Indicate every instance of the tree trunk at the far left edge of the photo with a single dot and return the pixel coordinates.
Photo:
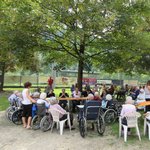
(2, 72)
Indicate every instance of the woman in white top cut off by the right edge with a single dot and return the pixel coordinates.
(147, 95)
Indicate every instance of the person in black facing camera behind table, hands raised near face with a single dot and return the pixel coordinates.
(63, 103)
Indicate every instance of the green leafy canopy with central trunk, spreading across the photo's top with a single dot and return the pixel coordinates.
(113, 35)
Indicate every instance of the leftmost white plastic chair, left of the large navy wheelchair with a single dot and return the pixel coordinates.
(55, 114)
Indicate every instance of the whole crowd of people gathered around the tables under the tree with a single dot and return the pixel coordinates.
(130, 94)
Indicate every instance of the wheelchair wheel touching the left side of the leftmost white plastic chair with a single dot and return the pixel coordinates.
(46, 123)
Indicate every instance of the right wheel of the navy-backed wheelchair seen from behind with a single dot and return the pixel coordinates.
(100, 125)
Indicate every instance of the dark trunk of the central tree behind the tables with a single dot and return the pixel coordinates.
(80, 74)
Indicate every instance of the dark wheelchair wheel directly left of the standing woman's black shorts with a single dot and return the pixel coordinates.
(17, 117)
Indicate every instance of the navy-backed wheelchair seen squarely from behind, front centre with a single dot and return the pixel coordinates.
(90, 113)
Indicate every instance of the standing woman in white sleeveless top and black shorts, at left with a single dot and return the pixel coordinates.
(27, 106)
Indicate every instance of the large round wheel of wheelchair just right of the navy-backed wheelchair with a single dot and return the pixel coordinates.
(110, 116)
